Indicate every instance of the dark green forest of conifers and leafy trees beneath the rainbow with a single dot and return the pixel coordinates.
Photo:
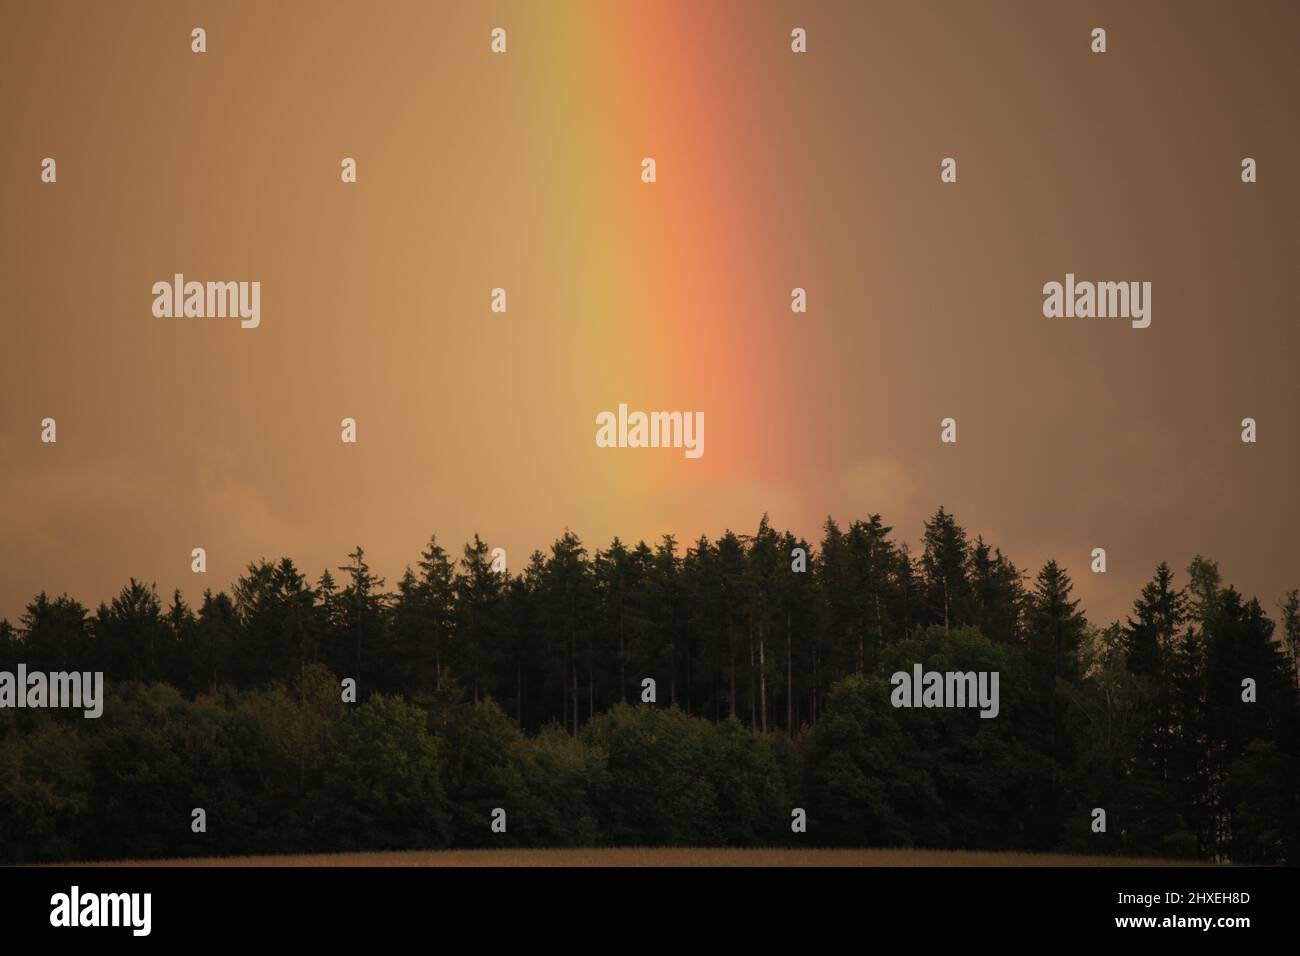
(772, 661)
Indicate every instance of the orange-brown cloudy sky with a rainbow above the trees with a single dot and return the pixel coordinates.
(523, 171)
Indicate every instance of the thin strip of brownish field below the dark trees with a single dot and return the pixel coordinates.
(664, 856)
